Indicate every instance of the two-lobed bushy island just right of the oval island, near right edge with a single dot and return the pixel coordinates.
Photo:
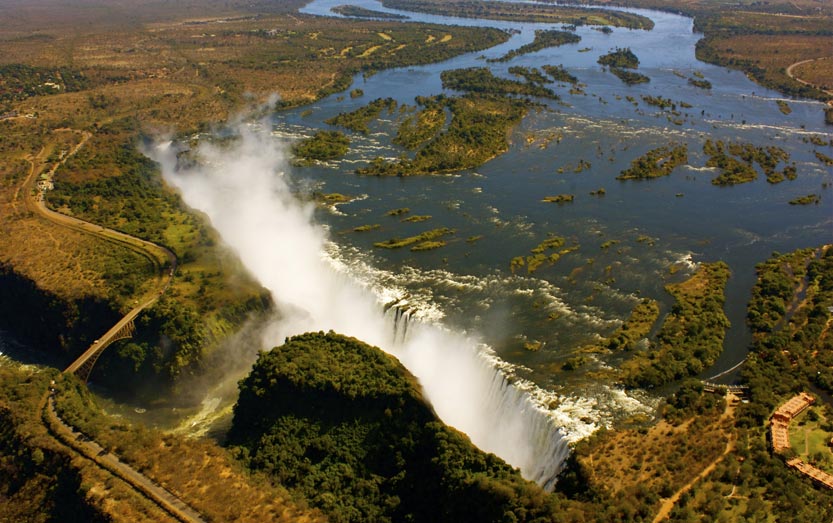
(736, 162)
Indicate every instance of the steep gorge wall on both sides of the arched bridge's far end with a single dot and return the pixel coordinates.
(172, 338)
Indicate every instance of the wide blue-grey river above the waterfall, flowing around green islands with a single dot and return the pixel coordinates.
(631, 242)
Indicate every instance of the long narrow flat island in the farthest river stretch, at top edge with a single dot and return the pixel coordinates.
(523, 12)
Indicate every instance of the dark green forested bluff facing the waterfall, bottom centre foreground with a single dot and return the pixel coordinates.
(346, 426)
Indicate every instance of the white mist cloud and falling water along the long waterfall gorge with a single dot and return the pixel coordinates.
(243, 190)
